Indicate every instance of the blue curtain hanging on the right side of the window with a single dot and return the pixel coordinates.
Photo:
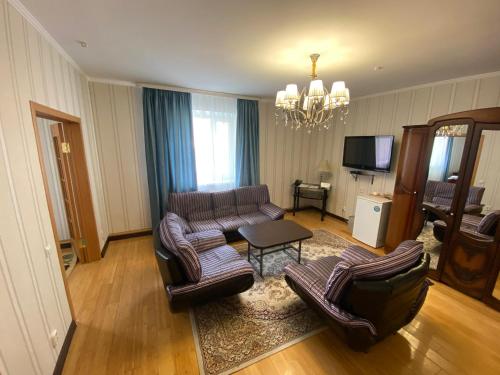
(247, 143)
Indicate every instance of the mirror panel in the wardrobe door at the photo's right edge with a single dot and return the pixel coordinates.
(481, 213)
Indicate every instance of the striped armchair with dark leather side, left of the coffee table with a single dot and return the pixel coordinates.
(197, 266)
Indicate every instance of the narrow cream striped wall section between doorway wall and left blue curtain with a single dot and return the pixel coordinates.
(117, 112)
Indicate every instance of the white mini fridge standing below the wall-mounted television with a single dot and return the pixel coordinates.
(370, 219)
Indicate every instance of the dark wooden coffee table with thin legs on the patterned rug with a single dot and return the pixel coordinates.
(267, 236)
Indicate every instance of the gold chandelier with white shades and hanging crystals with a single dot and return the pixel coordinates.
(314, 109)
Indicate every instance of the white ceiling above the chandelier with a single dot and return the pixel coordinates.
(255, 47)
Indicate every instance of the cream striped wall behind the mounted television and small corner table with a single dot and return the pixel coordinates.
(286, 155)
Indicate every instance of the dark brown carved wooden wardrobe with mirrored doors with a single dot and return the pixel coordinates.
(447, 195)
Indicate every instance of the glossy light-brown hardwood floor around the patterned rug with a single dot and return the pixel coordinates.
(125, 327)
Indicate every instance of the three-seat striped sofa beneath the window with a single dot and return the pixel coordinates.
(225, 211)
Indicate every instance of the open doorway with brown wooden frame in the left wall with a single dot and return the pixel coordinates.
(67, 188)
